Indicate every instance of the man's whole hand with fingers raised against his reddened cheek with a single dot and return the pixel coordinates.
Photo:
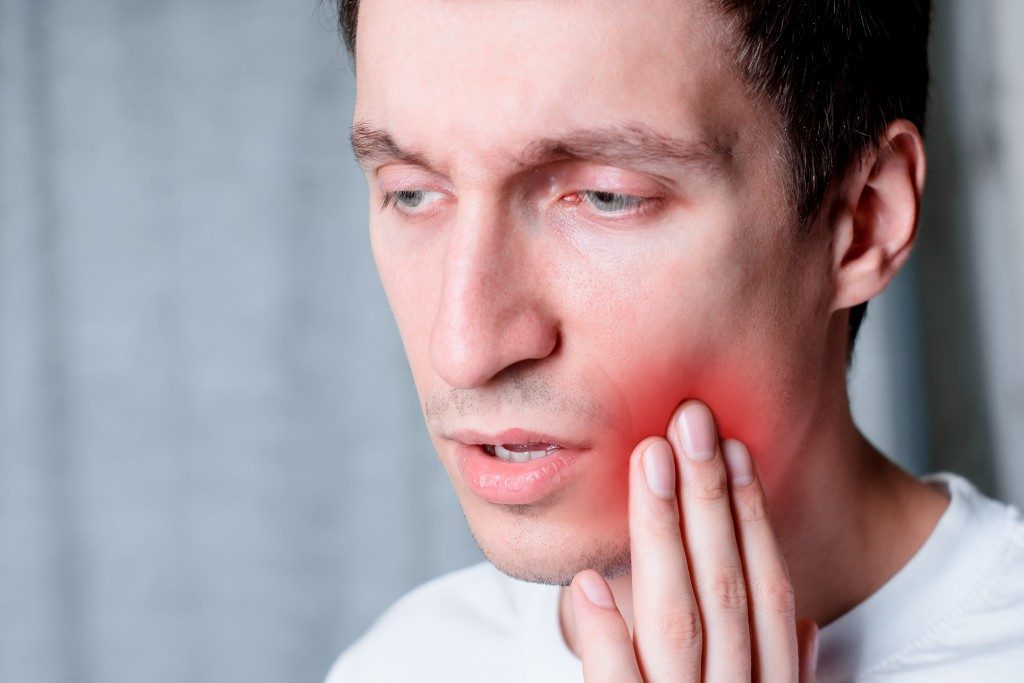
(712, 597)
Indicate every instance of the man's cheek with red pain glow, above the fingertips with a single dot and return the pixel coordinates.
(710, 330)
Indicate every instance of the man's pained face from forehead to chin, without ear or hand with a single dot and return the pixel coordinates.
(590, 227)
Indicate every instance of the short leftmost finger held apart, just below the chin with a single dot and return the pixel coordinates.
(603, 637)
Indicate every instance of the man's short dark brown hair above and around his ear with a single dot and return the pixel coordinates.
(837, 72)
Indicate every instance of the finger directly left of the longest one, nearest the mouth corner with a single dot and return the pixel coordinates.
(667, 633)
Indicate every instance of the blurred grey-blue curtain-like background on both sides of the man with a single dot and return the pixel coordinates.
(214, 465)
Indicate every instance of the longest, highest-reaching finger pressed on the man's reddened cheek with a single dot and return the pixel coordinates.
(711, 546)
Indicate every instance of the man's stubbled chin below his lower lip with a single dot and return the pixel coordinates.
(526, 549)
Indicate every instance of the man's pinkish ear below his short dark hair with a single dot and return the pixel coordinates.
(875, 223)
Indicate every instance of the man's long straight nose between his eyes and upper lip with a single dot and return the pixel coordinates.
(495, 308)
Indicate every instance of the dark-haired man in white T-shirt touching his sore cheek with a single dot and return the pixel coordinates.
(628, 247)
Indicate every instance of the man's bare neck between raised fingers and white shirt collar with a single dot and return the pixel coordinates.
(846, 518)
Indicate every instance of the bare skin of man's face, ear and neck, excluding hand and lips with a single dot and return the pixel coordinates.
(521, 305)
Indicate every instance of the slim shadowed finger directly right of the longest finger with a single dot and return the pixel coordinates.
(772, 600)
